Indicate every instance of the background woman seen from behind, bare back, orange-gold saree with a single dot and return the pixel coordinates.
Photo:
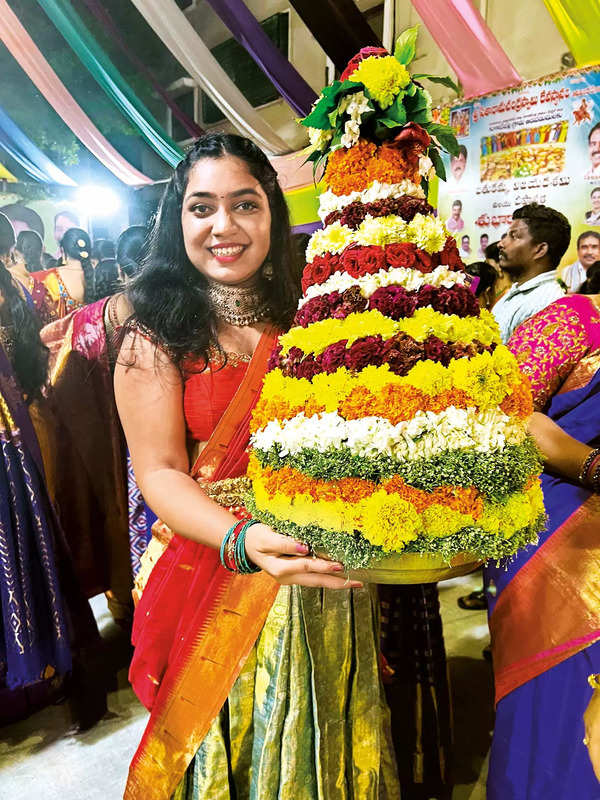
(70, 284)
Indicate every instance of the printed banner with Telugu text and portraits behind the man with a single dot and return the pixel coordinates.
(539, 142)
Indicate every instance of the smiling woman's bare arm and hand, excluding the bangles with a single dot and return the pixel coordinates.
(149, 395)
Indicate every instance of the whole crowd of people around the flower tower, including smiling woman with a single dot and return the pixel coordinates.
(284, 696)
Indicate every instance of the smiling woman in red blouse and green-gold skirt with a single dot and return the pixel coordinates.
(227, 660)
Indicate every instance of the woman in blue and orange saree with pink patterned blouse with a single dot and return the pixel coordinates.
(544, 606)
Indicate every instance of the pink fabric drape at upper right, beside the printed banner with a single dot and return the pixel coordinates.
(468, 44)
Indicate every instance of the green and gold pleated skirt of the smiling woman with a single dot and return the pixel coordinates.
(306, 718)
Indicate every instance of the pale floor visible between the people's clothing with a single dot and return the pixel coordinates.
(39, 758)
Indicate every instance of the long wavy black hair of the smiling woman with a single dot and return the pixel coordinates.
(169, 296)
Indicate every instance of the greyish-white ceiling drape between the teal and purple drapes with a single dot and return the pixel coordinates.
(172, 26)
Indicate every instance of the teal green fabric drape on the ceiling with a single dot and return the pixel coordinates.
(101, 68)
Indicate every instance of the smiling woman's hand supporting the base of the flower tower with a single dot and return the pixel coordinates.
(287, 560)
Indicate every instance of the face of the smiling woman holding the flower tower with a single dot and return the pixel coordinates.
(226, 220)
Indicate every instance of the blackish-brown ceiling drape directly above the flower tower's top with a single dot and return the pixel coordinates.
(338, 26)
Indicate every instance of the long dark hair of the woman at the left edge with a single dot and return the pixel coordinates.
(20, 324)
